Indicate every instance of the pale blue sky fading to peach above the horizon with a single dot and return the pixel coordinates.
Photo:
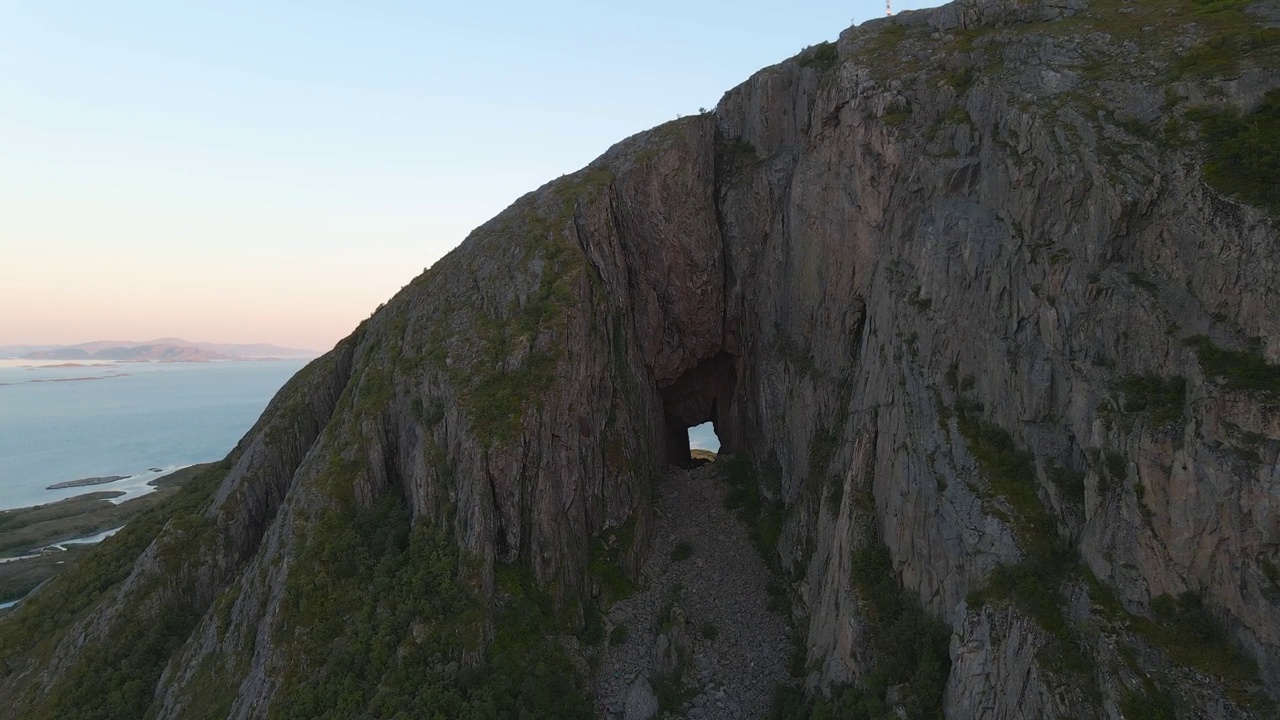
(272, 172)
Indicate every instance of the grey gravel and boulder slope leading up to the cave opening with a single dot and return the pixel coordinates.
(720, 590)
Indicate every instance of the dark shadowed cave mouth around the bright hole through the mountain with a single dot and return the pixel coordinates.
(697, 398)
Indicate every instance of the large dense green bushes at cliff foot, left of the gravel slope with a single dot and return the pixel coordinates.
(378, 618)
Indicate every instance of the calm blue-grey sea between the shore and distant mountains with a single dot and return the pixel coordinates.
(129, 420)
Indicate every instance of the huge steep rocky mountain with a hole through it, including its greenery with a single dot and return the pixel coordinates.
(985, 306)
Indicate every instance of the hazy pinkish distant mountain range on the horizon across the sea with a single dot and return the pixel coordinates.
(164, 350)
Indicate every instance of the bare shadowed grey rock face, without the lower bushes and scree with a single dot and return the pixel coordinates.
(925, 298)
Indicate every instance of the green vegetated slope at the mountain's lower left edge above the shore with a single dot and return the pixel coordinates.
(130, 659)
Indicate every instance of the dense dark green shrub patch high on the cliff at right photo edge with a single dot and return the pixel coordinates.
(1244, 152)
